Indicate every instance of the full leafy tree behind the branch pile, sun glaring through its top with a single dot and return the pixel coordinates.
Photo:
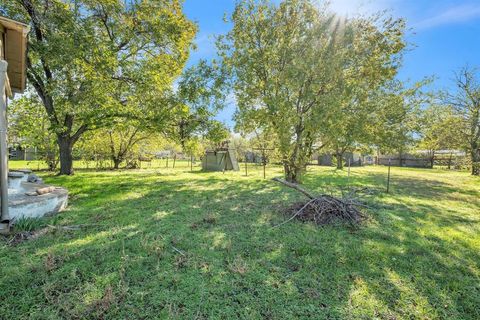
(291, 62)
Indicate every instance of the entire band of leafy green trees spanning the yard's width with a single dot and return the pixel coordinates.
(113, 74)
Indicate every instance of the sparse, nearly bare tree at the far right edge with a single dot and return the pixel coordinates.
(466, 103)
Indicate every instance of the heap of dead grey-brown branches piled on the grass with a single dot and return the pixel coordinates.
(326, 209)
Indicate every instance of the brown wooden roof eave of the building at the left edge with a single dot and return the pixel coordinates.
(15, 52)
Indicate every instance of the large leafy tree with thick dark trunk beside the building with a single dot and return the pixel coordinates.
(83, 53)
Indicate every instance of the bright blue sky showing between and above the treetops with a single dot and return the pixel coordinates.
(445, 34)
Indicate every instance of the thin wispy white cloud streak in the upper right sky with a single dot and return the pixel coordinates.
(457, 14)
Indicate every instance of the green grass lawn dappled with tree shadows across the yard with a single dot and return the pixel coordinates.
(168, 243)
